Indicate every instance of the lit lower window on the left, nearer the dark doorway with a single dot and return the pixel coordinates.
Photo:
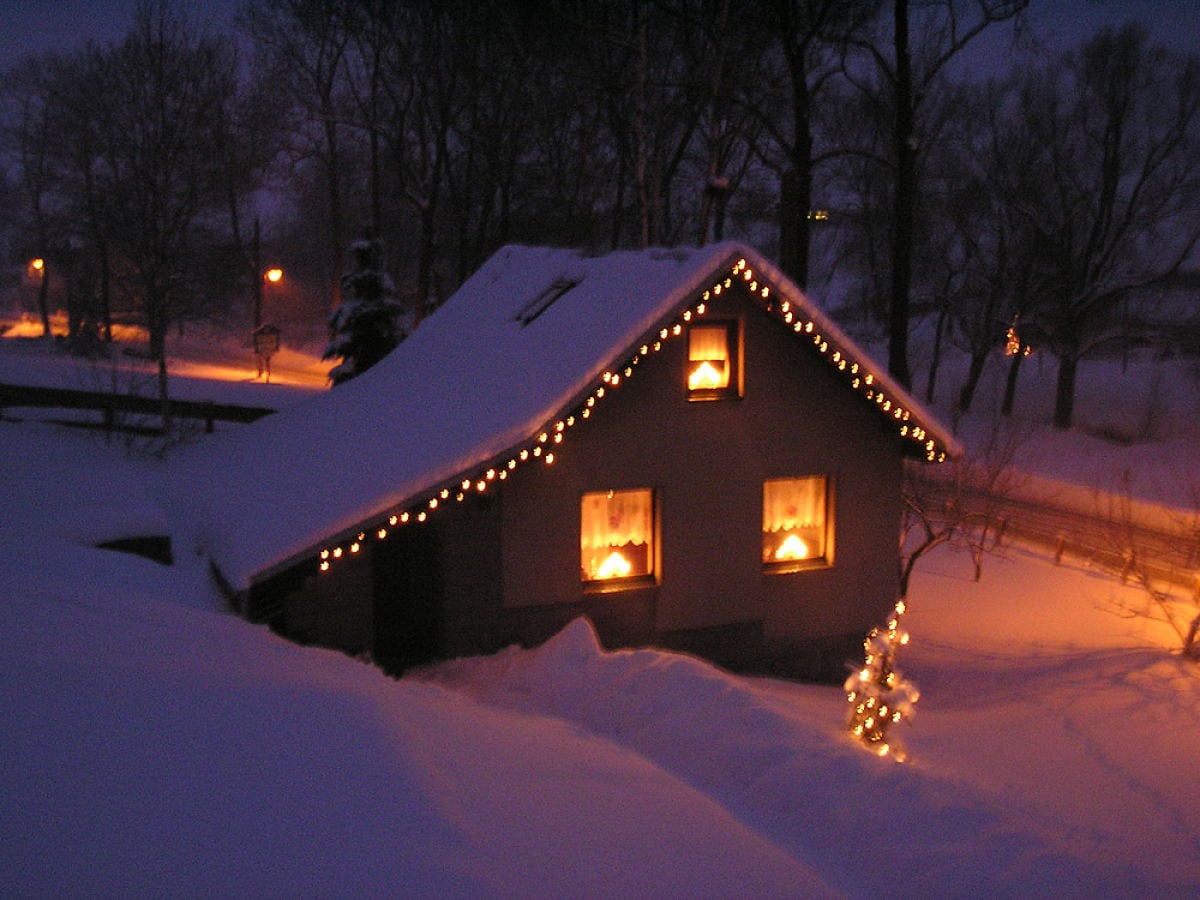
(617, 536)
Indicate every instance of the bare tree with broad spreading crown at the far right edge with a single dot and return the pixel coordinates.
(1112, 193)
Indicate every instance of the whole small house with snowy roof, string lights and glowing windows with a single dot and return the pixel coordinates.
(675, 443)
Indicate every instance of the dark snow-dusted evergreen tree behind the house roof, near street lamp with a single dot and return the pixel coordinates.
(367, 326)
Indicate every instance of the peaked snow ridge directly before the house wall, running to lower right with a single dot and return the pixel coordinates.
(781, 761)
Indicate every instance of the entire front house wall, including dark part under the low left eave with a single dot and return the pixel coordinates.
(508, 563)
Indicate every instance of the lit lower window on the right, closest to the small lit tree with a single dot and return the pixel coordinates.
(796, 523)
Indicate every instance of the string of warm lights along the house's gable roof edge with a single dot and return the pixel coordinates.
(545, 446)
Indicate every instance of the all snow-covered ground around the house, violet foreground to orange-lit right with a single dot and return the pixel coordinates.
(155, 745)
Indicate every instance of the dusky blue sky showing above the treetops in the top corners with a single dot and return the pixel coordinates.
(41, 26)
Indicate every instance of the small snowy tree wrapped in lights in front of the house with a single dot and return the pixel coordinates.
(878, 694)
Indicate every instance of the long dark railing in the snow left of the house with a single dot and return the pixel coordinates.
(112, 405)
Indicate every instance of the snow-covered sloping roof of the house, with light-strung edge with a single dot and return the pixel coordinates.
(517, 356)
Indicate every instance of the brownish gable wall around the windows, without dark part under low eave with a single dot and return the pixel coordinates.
(707, 463)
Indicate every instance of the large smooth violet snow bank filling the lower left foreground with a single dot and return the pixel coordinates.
(158, 751)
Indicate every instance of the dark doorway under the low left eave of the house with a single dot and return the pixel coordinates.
(407, 599)
